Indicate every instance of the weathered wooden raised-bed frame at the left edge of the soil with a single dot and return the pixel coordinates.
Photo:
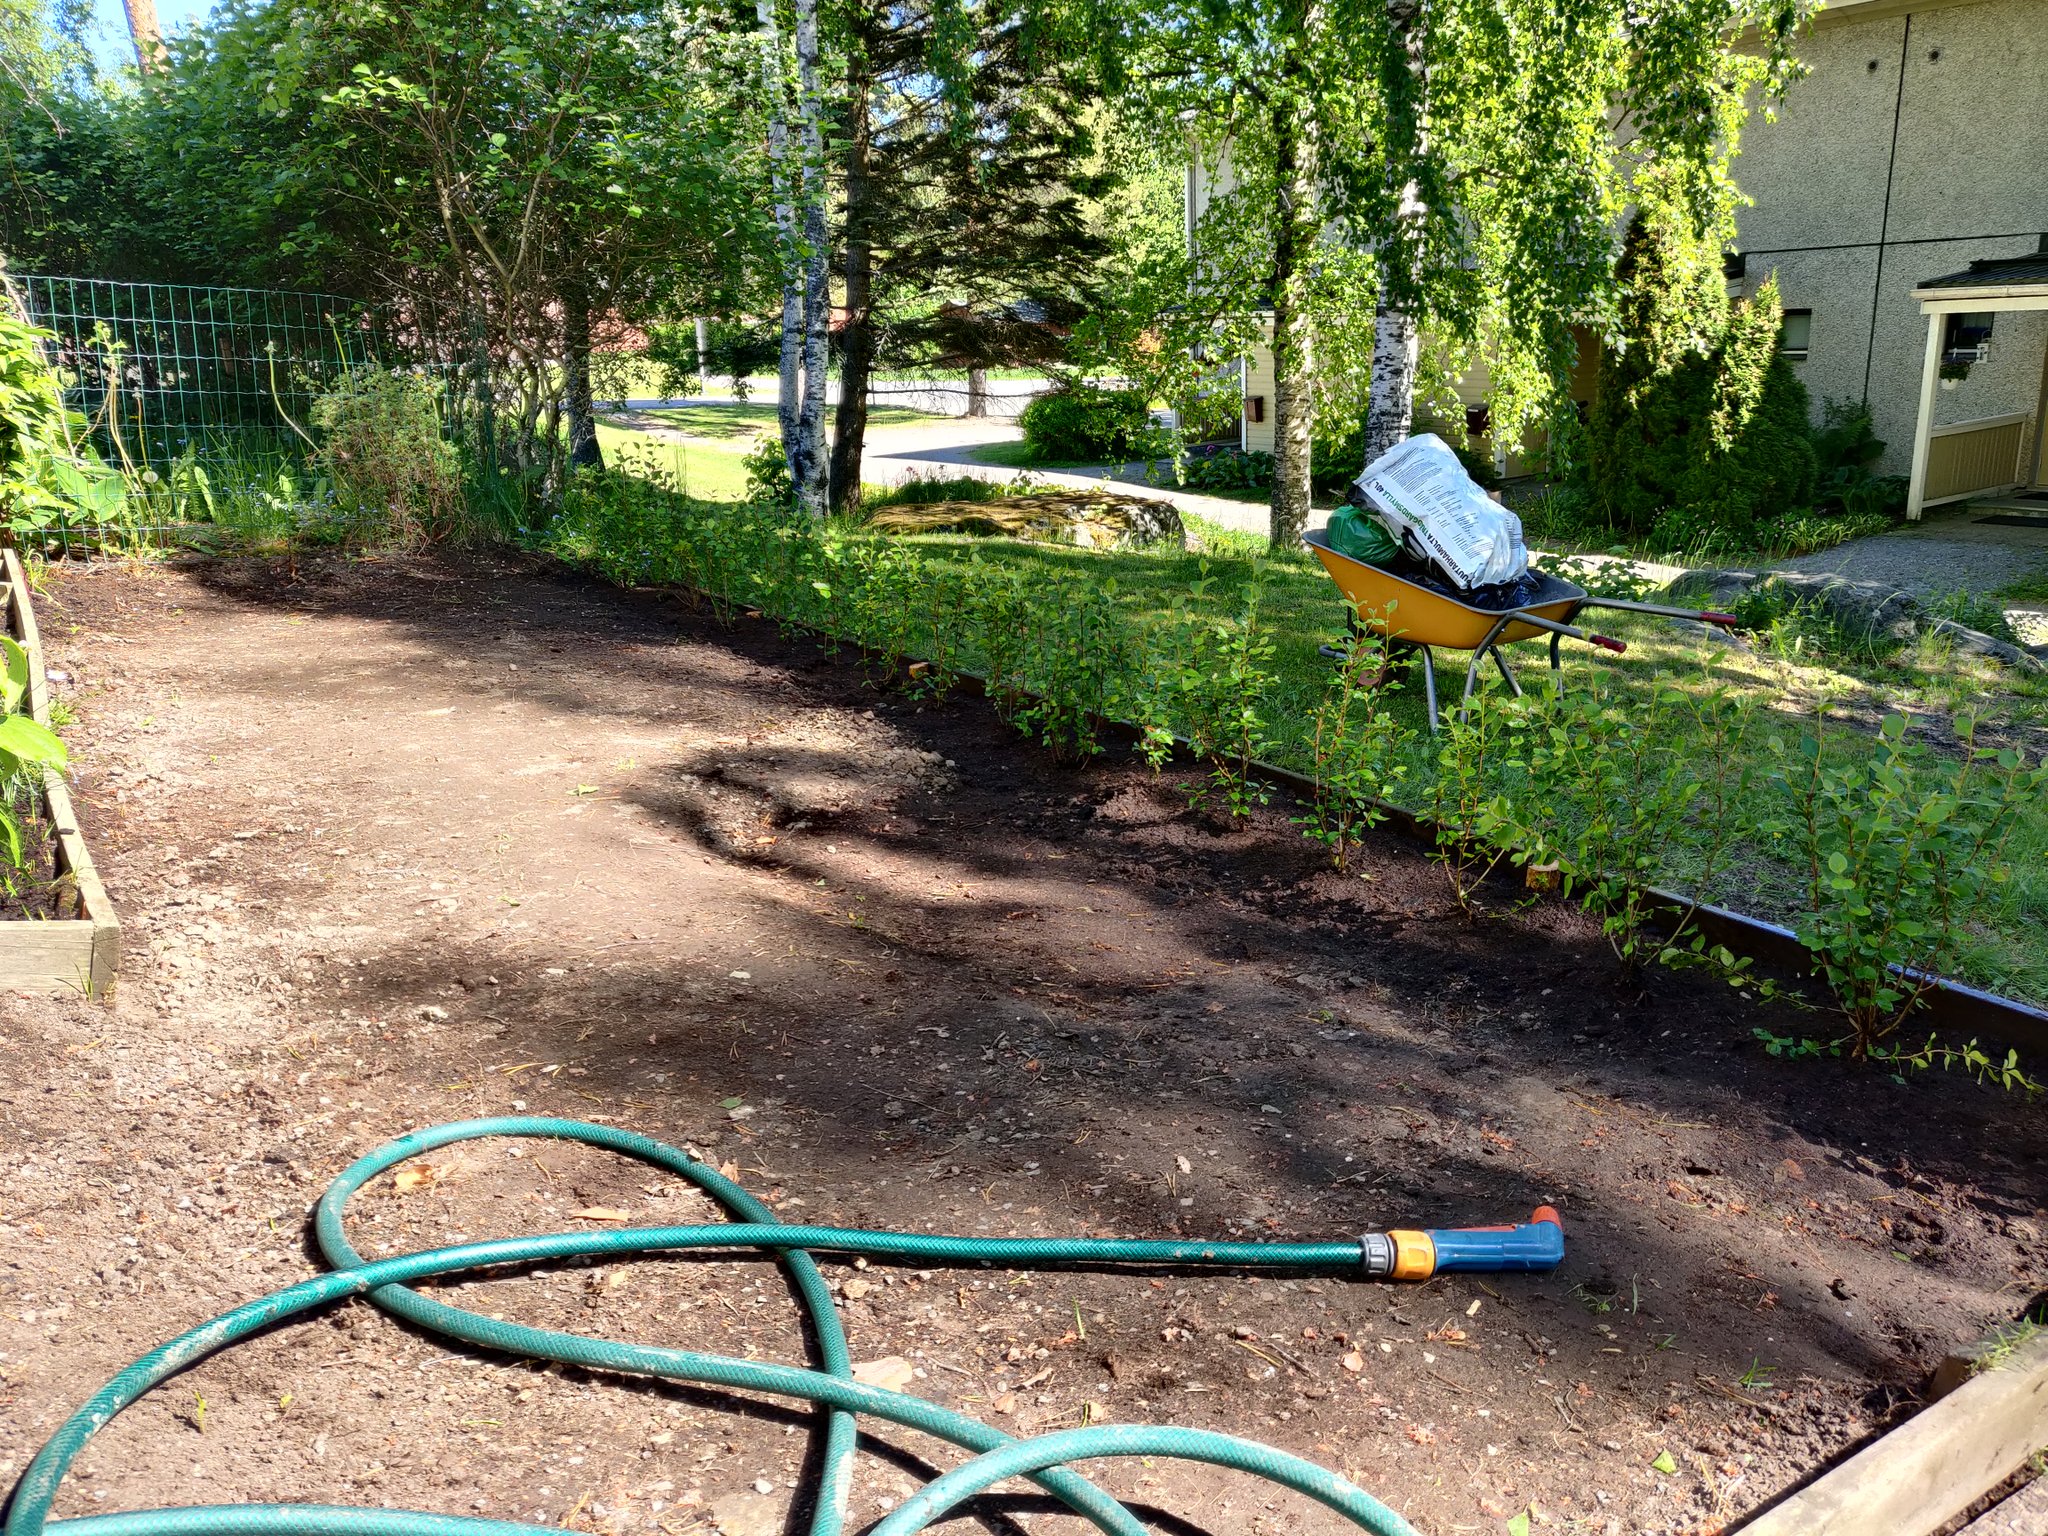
(79, 951)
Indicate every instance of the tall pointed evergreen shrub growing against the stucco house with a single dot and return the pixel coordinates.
(1701, 425)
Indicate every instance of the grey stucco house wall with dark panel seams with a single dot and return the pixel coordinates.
(1916, 144)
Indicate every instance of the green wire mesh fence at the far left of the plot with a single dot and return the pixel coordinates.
(200, 394)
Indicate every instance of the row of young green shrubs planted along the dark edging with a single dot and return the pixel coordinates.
(1897, 859)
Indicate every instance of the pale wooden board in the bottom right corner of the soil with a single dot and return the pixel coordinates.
(1934, 1465)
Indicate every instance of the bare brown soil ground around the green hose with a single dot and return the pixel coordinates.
(415, 841)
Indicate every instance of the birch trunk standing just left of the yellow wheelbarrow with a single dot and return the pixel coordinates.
(1295, 232)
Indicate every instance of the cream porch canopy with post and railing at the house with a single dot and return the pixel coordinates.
(1975, 458)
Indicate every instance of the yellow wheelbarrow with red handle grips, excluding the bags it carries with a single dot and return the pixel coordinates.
(1424, 613)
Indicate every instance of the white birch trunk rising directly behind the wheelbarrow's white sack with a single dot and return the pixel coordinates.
(1396, 337)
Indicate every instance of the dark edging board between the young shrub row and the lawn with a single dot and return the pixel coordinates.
(1951, 1005)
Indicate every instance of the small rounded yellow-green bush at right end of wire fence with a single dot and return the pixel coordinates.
(384, 452)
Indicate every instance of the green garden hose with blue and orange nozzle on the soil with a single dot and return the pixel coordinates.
(1533, 1246)
